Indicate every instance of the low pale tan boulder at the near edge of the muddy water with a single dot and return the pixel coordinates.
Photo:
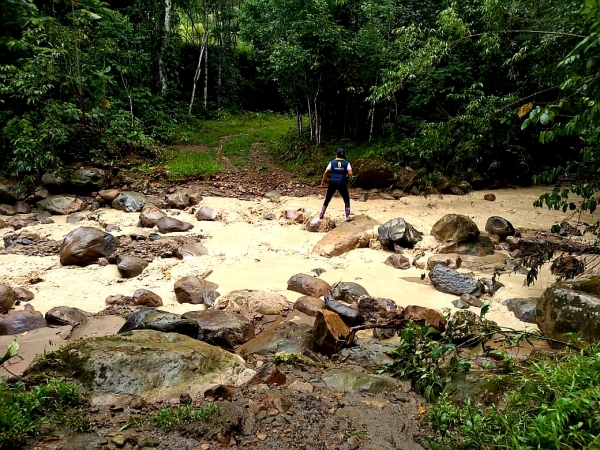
(251, 302)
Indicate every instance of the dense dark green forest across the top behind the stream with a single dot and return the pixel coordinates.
(500, 87)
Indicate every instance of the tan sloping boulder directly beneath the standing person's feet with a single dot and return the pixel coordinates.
(347, 236)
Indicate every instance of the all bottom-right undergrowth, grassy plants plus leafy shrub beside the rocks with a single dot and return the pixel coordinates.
(549, 401)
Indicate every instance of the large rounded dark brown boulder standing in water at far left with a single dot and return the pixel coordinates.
(83, 246)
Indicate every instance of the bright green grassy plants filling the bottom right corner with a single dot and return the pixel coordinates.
(551, 402)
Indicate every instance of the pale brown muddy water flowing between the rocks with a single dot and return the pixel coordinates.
(248, 252)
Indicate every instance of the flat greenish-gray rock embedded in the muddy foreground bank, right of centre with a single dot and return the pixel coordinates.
(346, 380)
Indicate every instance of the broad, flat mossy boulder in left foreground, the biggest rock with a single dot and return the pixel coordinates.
(152, 365)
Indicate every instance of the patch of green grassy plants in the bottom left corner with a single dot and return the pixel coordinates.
(32, 411)
